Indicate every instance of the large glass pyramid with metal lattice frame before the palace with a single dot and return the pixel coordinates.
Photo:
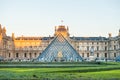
(62, 46)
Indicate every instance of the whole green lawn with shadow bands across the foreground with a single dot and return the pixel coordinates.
(58, 71)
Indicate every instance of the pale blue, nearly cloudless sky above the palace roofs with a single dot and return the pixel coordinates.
(85, 18)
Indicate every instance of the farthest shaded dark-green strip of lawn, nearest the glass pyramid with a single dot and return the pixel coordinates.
(55, 65)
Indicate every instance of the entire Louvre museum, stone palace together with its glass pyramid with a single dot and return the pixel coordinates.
(60, 47)
